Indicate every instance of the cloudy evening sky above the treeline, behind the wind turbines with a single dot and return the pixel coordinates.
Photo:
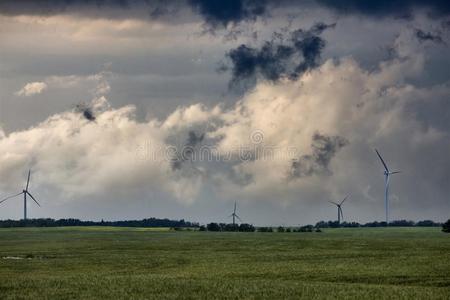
(133, 109)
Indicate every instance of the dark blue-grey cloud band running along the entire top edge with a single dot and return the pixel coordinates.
(217, 13)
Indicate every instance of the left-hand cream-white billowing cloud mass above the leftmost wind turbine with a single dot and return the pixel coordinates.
(80, 157)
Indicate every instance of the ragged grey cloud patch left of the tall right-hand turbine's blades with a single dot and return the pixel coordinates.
(324, 148)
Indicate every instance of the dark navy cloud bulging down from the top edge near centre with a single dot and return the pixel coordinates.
(219, 14)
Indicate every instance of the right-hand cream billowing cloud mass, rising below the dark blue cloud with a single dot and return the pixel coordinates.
(369, 109)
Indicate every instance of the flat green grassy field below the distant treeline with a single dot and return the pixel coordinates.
(127, 263)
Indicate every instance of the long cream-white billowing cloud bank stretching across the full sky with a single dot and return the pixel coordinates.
(339, 99)
